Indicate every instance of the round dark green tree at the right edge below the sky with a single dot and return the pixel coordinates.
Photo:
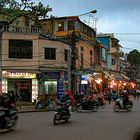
(134, 58)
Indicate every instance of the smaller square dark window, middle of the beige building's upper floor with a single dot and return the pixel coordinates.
(50, 53)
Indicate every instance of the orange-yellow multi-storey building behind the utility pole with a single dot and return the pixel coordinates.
(87, 49)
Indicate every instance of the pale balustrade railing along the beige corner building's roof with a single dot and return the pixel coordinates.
(17, 29)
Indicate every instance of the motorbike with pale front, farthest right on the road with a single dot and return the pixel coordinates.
(118, 106)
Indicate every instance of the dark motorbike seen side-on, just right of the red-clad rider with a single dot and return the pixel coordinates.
(87, 105)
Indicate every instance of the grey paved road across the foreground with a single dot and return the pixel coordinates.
(102, 125)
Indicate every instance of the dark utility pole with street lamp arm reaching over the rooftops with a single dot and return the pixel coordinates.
(73, 56)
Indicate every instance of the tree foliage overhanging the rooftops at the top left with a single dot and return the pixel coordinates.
(12, 9)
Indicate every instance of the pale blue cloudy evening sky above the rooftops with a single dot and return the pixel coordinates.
(121, 17)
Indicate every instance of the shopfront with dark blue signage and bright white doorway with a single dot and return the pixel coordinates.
(54, 84)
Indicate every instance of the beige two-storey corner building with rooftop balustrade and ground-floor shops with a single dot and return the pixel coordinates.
(30, 63)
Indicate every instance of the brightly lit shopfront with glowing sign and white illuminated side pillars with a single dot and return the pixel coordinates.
(24, 85)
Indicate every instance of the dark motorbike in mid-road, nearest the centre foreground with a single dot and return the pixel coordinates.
(62, 113)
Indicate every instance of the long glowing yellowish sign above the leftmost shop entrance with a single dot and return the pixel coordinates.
(6, 74)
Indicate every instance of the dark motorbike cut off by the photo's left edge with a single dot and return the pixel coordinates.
(8, 122)
